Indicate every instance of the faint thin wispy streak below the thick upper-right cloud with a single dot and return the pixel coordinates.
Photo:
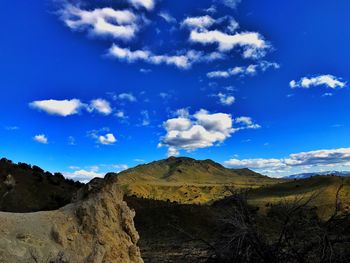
(243, 71)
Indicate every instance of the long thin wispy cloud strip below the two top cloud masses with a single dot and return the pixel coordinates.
(183, 60)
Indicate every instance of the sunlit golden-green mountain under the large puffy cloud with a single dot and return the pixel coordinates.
(187, 180)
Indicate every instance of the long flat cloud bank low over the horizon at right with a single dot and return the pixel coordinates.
(340, 156)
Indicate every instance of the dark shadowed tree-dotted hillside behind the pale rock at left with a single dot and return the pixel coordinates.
(26, 188)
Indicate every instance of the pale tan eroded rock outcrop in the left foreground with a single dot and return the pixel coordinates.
(96, 228)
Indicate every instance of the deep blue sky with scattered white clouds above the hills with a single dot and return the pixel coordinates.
(96, 86)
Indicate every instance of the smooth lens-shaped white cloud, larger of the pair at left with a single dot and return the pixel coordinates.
(58, 107)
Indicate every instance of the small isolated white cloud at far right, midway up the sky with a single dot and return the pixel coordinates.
(329, 81)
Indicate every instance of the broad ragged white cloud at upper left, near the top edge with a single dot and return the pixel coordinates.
(119, 24)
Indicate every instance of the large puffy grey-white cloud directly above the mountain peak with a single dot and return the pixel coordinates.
(201, 130)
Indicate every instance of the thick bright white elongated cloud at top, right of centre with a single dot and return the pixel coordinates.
(253, 44)
